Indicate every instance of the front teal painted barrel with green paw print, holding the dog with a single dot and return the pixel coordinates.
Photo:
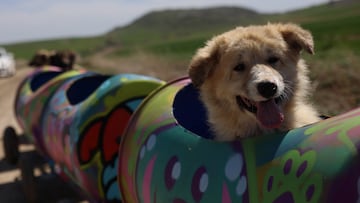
(166, 156)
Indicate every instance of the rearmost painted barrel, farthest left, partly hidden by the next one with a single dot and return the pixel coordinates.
(32, 97)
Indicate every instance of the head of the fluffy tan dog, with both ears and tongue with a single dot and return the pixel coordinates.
(257, 66)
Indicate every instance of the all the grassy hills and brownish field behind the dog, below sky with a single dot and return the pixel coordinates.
(162, 42)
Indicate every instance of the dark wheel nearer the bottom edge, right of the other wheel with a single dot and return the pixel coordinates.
(26, 165)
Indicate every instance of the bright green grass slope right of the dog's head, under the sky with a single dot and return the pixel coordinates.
(333, 26)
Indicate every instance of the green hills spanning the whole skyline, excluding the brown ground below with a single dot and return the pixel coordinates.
(180, 32)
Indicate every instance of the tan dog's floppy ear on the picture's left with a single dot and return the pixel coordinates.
(204, 62)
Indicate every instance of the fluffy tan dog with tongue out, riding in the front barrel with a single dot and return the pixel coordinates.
(252, 80)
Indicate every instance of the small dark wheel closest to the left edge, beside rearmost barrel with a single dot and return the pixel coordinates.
(11, 145)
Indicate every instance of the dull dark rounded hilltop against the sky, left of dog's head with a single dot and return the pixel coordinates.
(175, 24)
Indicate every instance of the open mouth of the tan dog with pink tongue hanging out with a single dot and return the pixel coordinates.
(268, 113)
